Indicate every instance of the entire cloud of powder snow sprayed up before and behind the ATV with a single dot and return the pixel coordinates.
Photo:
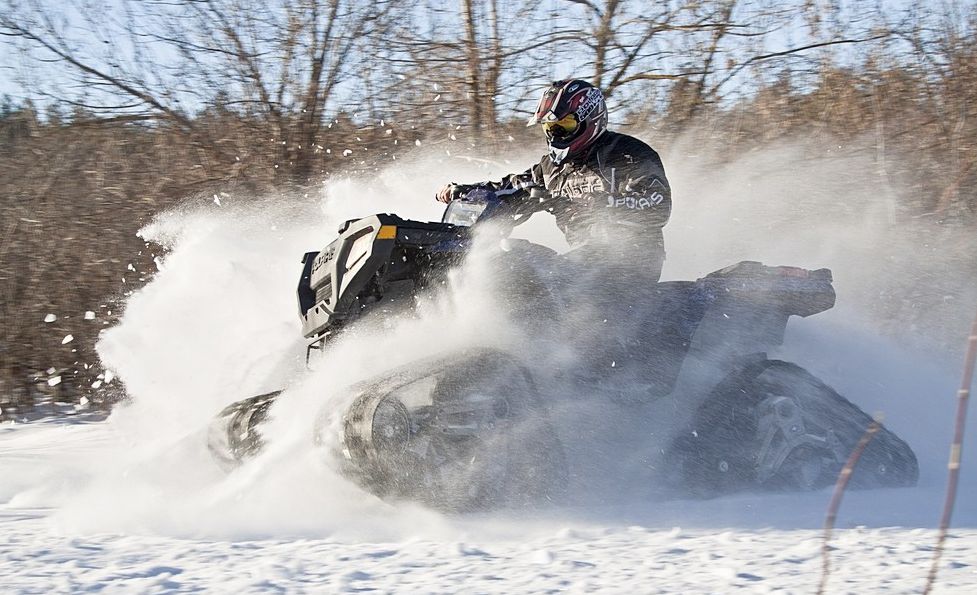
(219, 323)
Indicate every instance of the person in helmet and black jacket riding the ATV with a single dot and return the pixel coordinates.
(607, 190)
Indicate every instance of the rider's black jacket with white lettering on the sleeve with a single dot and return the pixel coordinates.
(616, 191)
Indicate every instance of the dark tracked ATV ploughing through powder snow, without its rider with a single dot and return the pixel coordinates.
(489, 428)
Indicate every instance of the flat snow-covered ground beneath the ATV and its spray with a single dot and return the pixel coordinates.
(746, 543)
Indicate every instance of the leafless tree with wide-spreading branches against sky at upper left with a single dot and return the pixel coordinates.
(279, 67)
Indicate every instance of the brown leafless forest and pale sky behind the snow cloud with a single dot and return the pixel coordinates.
(112, 112)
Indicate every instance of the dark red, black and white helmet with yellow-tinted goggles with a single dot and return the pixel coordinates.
(573, 115)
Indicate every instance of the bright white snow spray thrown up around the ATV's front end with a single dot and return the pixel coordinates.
(219, 323)
